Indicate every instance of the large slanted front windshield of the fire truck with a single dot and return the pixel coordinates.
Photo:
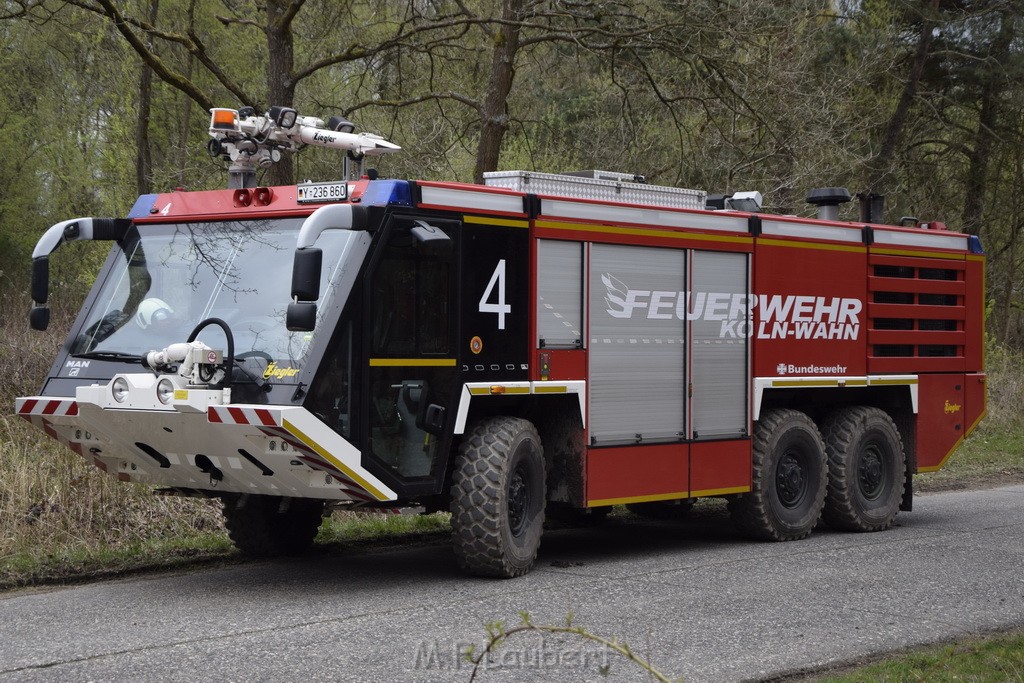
(175, 277)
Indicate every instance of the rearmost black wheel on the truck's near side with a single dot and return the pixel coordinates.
(867, 469)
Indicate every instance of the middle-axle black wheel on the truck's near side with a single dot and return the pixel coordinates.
(789, 480)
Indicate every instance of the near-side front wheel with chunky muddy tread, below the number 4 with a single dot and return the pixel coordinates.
(498, 498)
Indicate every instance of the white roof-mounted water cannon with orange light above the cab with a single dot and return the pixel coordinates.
(251, 142)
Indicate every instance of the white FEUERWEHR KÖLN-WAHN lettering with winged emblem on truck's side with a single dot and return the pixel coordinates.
(783, 317)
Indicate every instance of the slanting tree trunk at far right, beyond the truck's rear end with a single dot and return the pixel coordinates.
(977, 177)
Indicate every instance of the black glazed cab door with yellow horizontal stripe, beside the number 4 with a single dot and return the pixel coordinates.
(411, 363)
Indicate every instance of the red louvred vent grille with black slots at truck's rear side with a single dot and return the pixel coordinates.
(916, 315)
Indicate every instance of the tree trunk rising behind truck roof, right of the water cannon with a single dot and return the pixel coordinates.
(494, 113)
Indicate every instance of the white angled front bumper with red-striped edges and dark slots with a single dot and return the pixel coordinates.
(201, 442)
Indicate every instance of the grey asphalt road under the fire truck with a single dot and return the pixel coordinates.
(700, 602)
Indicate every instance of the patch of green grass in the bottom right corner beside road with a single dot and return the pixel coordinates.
(994, 658)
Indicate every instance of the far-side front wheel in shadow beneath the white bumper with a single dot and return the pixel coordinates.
(268, 526)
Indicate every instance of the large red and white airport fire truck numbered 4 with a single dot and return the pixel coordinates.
(540, 345)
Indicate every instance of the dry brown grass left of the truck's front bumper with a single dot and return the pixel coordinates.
(53, 503)
